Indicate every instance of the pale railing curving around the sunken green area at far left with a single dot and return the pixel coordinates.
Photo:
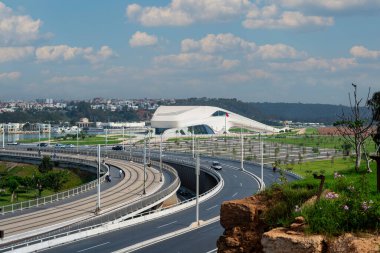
(58, 196)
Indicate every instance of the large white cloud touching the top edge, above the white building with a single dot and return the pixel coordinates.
(186, 12)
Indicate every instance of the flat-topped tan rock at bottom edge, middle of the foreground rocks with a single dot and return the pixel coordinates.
(278, 240)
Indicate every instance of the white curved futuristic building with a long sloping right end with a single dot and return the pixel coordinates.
(204, 120)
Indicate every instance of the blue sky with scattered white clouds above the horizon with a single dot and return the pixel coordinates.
(307, 51)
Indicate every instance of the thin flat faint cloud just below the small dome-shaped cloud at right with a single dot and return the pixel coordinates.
(312, 64)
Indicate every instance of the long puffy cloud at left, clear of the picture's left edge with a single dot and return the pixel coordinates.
(65, 52)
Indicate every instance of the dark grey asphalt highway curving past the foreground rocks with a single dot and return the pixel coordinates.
(237, 184)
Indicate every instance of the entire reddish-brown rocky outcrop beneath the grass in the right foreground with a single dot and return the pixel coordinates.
(246, 232)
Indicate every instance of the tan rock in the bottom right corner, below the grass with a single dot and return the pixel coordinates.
(353, 244)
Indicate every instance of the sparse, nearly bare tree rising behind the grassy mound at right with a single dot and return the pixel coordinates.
(356, 126)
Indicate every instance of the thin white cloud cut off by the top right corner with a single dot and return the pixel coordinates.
(332, 5)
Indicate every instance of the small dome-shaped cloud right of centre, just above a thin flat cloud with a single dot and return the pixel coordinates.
(278, 51)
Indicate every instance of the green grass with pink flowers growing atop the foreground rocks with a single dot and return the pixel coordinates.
(355, 209)
